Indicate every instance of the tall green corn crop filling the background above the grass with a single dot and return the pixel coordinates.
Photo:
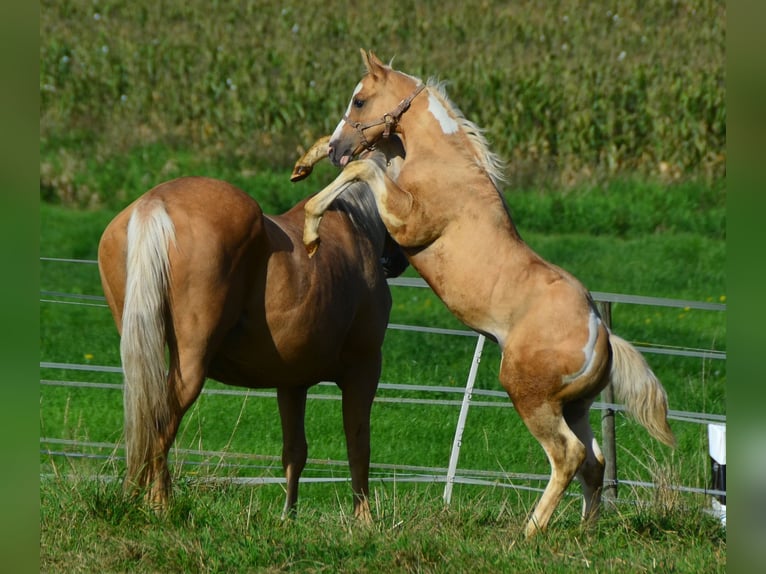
(568, 92)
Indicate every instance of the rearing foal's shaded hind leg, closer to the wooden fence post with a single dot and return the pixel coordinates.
(591, 472)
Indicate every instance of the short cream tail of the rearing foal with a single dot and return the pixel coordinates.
(639, 389)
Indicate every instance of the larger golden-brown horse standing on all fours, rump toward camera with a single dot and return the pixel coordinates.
(195, 265)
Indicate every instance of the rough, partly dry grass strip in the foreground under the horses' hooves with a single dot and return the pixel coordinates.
(229, 528)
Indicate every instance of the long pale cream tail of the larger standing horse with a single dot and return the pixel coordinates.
(142, 344)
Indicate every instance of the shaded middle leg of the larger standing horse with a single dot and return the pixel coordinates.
(292, 412)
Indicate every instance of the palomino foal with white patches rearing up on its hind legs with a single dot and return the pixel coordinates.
(445, 210)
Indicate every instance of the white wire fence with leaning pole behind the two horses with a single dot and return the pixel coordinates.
(323, 470)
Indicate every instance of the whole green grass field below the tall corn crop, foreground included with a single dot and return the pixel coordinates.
(412, 531)
